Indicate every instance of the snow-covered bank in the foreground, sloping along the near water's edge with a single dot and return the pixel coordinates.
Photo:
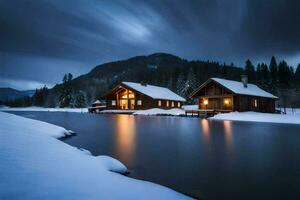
(34, 165)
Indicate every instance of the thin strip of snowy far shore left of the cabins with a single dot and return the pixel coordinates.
(33, 108)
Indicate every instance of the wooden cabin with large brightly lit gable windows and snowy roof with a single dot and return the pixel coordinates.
(138, 96)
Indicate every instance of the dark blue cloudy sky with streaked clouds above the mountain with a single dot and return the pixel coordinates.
(40, 40)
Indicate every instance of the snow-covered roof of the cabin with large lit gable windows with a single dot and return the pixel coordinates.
(154, 92)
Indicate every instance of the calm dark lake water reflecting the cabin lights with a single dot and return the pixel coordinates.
(206, 159)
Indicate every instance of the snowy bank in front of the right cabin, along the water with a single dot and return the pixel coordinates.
(259, 117)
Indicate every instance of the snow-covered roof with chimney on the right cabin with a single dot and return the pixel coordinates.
(238, 88)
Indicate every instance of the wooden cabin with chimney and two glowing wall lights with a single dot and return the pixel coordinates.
(221, 95)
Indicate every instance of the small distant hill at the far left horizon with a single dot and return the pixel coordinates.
(12, 94)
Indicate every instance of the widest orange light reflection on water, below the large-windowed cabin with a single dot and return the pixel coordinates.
(125, 137)
